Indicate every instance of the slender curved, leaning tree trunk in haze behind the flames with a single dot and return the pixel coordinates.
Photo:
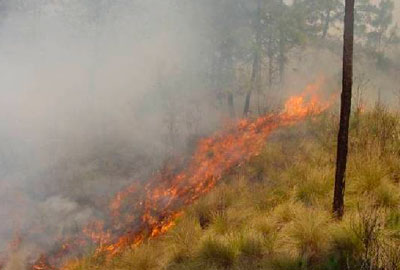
(256, 62)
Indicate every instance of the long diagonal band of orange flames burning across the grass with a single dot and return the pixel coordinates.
(138, 215)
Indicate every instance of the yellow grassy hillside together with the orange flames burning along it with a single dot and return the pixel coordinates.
(271, 207)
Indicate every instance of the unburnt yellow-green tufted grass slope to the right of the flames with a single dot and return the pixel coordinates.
(274, 213)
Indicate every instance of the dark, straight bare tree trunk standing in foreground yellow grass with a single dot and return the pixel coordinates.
(342, 146)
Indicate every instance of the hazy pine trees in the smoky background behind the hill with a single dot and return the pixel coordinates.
(253, 39)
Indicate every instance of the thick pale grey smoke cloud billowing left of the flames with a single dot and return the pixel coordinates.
(94, 95)
